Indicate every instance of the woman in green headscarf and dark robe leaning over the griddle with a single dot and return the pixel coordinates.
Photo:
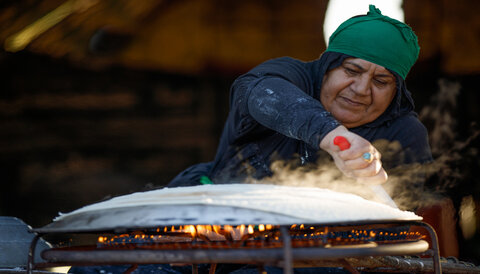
(286, 108)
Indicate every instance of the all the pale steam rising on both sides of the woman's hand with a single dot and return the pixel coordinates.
(411, 186)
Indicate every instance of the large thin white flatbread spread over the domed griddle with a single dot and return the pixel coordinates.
(312, 205)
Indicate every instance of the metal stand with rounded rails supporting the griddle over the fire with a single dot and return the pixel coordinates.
(285, 256)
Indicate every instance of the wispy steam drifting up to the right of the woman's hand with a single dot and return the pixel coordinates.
(415, 186)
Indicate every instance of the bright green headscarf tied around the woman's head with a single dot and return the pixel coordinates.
(378, 39)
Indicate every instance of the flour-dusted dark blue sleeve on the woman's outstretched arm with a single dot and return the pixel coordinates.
(278, 95)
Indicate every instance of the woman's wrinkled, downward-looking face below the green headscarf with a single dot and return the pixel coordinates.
(357, 92)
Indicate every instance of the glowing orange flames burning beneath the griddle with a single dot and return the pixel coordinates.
(267, 234)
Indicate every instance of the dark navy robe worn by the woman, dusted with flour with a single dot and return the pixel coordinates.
(276, 114)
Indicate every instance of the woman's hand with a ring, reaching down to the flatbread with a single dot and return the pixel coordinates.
(351, 161)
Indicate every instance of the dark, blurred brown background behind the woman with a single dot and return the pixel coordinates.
(104, 98)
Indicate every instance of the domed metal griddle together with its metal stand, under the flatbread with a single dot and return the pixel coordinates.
(125, 219)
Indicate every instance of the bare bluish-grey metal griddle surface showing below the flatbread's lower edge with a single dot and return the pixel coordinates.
(118, 219)
